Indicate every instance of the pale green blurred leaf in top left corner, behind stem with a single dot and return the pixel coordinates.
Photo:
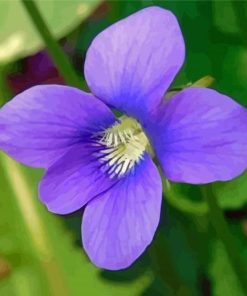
(18, 37)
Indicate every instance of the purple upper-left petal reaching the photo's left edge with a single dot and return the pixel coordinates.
(39, 125)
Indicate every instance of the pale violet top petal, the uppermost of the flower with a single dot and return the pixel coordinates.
(131, 64)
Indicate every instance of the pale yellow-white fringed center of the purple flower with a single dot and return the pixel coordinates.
(123, 146)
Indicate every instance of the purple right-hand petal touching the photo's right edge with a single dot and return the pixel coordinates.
(200, 136)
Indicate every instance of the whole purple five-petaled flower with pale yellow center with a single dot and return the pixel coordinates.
(93, 159)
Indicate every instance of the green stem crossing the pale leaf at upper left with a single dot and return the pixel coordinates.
(60, 59)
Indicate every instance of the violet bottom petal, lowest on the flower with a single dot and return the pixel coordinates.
(119, 224)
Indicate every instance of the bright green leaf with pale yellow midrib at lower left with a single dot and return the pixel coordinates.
(42, 255)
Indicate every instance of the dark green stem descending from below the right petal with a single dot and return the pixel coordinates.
(219, 223)
